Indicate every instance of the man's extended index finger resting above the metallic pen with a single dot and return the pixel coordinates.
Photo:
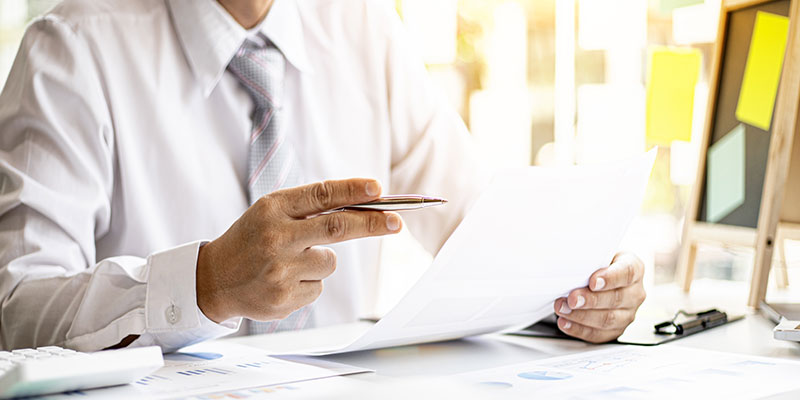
(319, 197)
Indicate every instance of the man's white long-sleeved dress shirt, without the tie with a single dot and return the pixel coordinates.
(124, 141)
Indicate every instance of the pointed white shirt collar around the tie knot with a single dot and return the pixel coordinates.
(210, 36)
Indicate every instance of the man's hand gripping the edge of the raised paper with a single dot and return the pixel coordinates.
(602, 311)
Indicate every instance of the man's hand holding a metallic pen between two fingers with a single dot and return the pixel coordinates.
(268, 264)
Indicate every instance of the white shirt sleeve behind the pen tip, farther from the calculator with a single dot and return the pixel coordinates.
(433, 153)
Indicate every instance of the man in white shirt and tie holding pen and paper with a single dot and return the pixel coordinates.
(132, 132)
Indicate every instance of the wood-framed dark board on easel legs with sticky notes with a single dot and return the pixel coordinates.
(748, 178)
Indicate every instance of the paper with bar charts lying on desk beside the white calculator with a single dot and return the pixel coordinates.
(218, 366)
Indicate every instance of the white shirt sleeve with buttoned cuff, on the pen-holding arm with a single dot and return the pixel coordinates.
(56, 184)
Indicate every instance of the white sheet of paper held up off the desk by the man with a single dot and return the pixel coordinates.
(532, 236)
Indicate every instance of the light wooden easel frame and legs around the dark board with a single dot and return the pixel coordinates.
(784, 127)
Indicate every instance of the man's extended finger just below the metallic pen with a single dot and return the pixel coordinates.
(346, 225)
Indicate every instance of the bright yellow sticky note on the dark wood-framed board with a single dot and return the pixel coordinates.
(762, 73)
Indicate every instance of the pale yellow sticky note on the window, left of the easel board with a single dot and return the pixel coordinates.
(672, 77)
